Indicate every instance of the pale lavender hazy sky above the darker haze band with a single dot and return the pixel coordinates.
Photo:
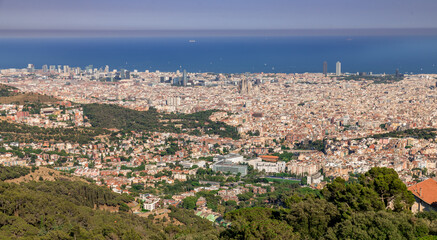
(215, 14)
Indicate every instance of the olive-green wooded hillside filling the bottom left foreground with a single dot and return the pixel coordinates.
(66, 210)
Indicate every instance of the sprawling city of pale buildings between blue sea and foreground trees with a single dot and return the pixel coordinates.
(218, 142)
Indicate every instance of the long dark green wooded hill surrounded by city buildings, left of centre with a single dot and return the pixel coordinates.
(113, 116)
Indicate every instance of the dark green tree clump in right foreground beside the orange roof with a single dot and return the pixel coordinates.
(346, 211)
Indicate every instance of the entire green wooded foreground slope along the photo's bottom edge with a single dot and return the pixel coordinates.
(66, 209)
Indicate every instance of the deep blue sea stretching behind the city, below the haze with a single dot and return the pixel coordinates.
(410, 54)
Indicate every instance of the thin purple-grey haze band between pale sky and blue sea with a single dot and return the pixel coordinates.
(24, 33)
